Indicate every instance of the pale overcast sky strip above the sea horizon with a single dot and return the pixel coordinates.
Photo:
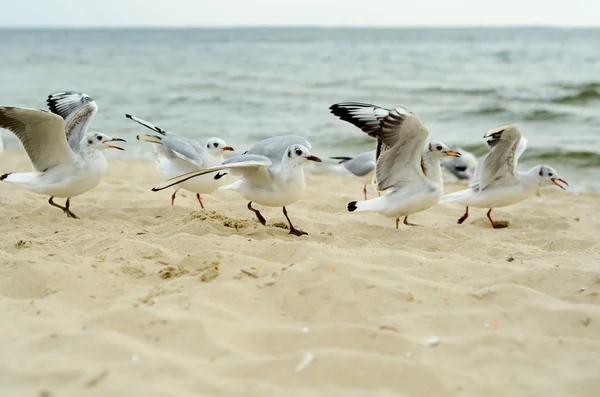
(298, 12)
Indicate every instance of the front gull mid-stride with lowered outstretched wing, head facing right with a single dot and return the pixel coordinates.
(271, 174)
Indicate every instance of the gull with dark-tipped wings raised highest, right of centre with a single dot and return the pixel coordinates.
(408, 168)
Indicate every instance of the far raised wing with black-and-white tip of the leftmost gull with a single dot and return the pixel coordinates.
(78, 111)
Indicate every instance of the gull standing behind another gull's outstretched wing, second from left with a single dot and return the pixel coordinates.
(176, 155)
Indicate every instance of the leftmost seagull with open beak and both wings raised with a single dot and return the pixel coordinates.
(66, 159)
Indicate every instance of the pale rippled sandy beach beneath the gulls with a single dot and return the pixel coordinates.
(138, 298)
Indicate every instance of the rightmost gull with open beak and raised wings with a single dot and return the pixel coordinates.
(496, 182)
